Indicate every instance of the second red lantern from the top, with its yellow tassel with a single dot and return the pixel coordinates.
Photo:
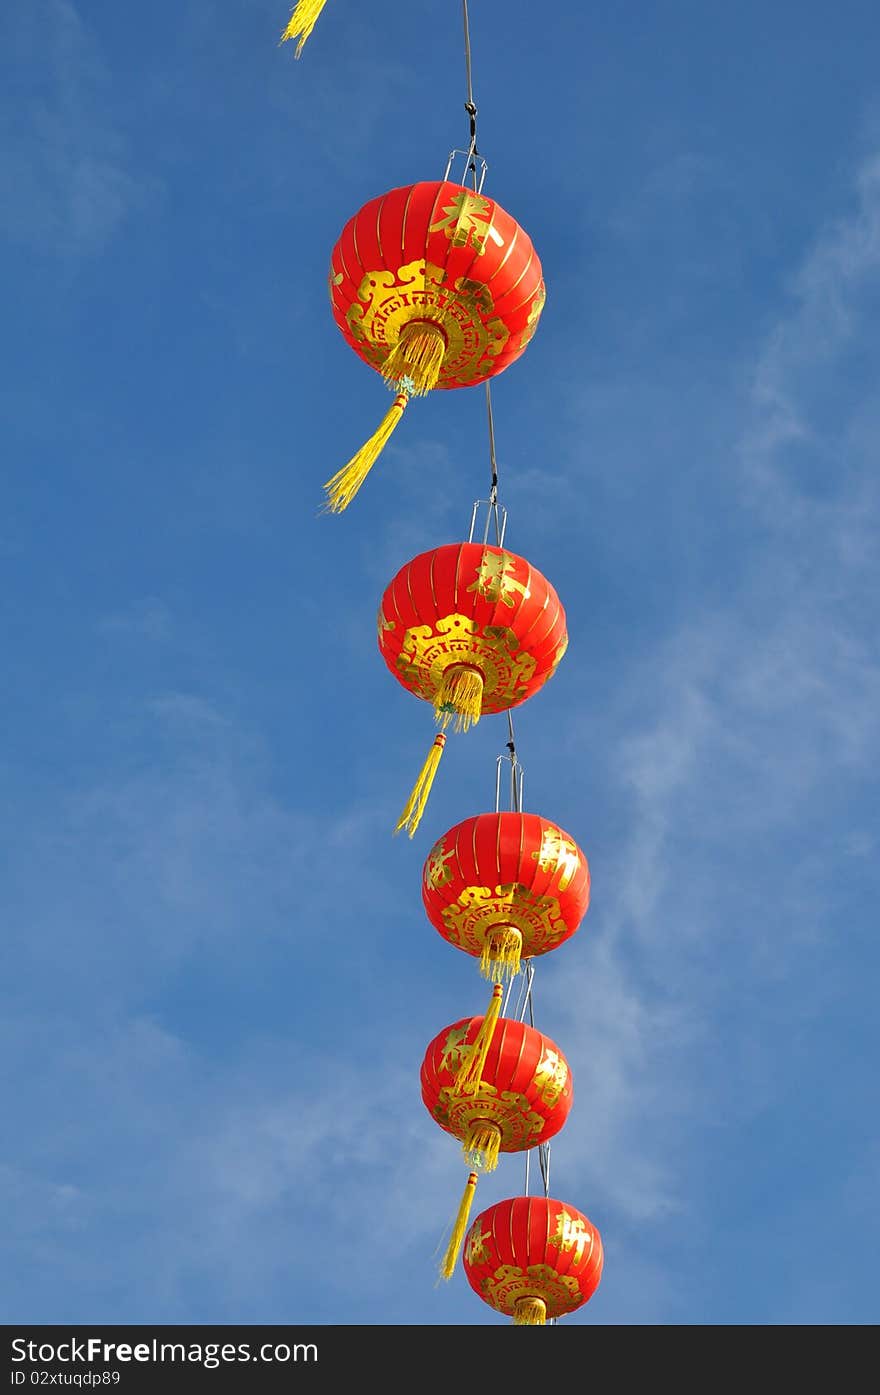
(472, 630)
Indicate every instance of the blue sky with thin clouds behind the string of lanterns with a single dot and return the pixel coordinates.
(218, 980)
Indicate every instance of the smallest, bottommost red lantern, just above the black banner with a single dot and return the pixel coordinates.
(533, 1259)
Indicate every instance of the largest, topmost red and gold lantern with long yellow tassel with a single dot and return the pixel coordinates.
(434, 287)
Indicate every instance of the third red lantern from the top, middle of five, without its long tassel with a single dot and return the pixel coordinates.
(504, 887)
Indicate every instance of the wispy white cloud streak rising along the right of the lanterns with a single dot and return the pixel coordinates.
(744, 734)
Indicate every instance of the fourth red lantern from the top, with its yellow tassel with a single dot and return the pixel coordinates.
(500, 1092)
